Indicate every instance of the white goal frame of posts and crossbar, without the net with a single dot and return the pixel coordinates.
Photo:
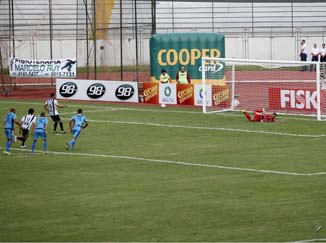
(232, 62)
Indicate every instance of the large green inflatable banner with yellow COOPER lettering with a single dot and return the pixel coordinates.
(170, 51)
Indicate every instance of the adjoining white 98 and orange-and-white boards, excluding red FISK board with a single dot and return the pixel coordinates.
(154, 93)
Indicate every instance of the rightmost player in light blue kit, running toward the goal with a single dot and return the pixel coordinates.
(77, 123)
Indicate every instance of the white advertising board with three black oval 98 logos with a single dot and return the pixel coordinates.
(78, 89)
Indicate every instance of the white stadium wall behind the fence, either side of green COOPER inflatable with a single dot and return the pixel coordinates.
(108, 51)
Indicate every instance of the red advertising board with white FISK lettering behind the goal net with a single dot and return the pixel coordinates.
(293, 99)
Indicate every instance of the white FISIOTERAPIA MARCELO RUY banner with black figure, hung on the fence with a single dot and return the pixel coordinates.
(57, 68)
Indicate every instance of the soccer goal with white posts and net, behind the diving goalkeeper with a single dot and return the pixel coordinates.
(285, 87)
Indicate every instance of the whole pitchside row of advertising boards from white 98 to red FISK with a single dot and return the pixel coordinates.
(179, 94)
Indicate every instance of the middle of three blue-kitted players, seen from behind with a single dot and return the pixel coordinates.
(40, 129)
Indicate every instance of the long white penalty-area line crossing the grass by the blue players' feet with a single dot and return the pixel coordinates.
(177, 163)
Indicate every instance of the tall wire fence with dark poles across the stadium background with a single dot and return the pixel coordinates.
(111, 37)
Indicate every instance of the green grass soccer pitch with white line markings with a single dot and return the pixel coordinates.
(142, 173)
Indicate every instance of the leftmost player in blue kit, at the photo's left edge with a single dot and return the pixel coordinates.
(9, 122)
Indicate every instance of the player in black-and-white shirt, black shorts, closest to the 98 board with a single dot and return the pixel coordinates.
(52, 105)
